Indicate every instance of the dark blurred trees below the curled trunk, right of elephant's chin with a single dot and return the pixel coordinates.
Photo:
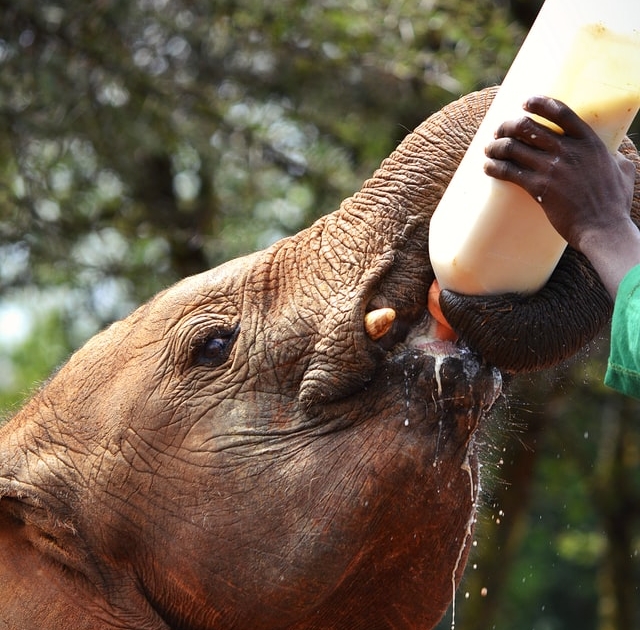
(559, 540)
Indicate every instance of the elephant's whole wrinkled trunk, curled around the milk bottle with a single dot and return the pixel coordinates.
(372, 254)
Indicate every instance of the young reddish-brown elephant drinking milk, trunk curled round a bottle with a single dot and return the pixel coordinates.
(281, 442)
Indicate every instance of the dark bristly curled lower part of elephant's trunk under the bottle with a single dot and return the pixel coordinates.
(520, 333)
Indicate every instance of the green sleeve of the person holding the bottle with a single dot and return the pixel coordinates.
(623, 370)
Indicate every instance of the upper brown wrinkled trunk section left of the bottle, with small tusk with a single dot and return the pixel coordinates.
(371, 256)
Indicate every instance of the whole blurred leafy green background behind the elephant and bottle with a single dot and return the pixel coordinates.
(145, 140)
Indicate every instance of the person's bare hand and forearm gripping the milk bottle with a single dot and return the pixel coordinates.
(585, 191)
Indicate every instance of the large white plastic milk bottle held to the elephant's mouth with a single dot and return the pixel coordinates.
(488, 236)
